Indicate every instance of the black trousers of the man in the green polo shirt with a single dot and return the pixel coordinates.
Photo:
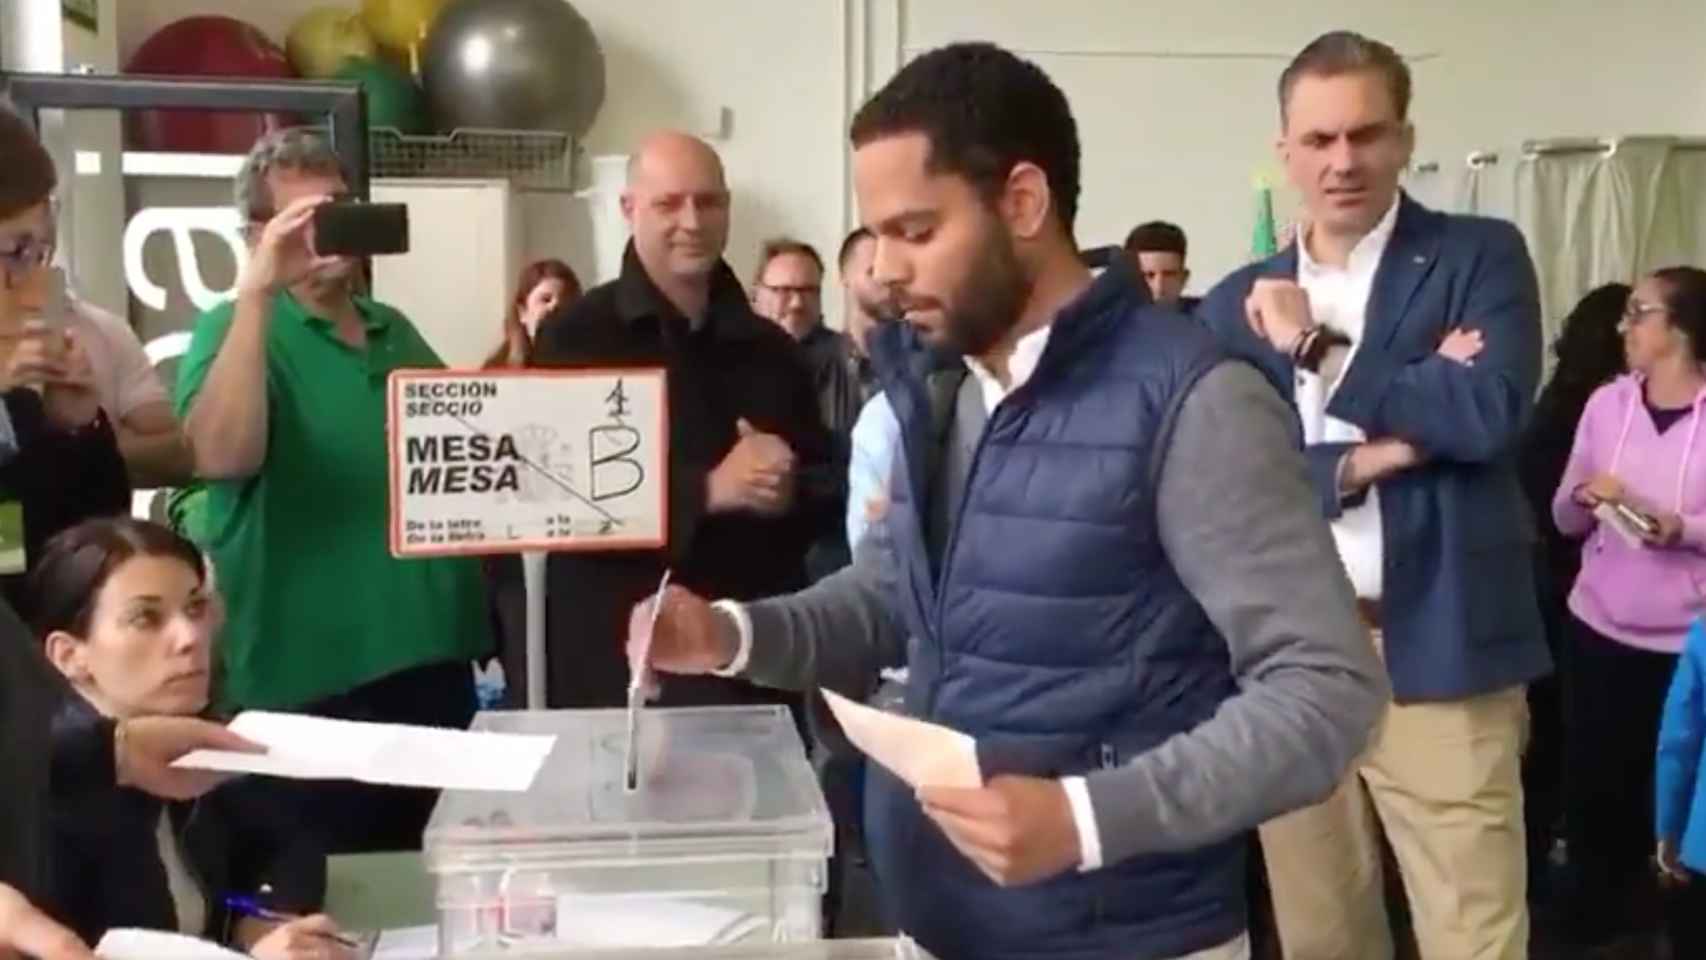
(359, 818)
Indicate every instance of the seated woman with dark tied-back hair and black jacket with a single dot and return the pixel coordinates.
(125, 615)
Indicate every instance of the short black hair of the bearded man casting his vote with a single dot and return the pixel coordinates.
(984, 110)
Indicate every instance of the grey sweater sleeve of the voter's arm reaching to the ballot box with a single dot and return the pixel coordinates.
(837, 633)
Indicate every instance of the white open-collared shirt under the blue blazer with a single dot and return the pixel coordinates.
(1338, 298)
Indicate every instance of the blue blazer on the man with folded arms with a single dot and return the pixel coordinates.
(1459, 615)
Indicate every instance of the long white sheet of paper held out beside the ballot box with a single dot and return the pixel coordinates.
(313, 748)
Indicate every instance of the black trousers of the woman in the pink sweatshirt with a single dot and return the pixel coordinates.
(1615, 703)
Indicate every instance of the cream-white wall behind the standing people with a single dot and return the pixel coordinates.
(1175, 100)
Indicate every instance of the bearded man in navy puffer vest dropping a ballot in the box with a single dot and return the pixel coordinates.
(1105, 550)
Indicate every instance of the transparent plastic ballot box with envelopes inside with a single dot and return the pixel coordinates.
(726, 841)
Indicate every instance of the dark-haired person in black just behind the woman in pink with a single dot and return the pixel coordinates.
(1589, 354)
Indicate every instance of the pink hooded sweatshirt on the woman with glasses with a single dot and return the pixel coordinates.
(1639, 594)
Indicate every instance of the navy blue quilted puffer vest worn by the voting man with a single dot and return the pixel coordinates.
(1057, 633)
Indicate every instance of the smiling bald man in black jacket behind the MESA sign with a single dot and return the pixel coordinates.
(751, 483)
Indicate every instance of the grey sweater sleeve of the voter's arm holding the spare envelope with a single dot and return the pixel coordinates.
(1245, 533)
